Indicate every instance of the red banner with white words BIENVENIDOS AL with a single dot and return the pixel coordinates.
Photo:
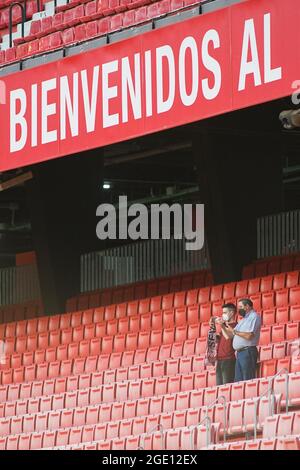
(218, 62)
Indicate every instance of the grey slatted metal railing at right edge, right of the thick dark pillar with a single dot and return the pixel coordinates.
(278, 234)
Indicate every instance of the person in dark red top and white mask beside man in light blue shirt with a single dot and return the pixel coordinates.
(225, 352)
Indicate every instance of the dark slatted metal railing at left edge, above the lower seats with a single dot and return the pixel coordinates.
(19, 284)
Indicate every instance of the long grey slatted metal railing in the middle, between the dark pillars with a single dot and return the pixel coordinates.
(140, 261)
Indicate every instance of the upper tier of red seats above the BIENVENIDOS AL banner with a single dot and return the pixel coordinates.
(76, 21)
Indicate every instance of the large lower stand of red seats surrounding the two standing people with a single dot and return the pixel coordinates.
(132, 375)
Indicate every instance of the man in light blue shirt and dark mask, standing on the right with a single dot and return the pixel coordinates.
(245, 339)
